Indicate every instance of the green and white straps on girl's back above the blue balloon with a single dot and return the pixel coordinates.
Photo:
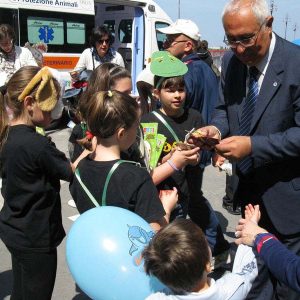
(112, 170)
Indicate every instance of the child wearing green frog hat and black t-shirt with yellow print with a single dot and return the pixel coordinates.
(173, 122)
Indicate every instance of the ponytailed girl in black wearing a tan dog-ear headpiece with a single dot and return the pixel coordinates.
(31, 167)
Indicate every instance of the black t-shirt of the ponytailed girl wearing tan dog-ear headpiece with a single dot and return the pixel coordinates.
(31, 169)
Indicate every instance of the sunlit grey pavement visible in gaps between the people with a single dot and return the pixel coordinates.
(65, 288)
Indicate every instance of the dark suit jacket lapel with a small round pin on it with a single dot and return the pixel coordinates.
(271, 83)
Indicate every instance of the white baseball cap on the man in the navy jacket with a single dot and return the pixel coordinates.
(182, 26)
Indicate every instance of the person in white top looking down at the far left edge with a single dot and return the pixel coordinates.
(12, 57)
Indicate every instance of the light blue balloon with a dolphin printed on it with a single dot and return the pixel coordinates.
(103, 253)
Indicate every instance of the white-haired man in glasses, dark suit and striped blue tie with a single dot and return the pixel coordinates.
(257, 120)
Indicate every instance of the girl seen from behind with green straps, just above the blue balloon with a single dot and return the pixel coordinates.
(105, 179)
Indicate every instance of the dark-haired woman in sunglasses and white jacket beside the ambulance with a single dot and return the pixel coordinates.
(100, 51)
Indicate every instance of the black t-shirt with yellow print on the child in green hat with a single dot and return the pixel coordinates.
(188, 120)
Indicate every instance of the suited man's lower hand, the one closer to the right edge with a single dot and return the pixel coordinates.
(234, 147)
